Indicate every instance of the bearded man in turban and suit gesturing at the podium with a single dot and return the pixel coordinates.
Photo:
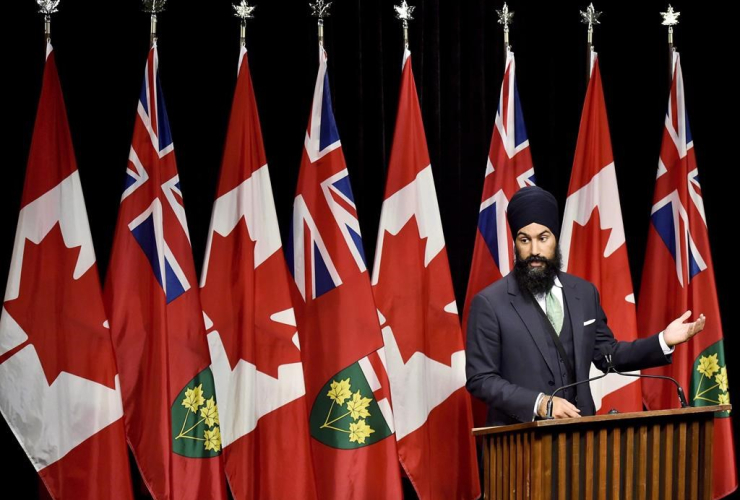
(540, 328)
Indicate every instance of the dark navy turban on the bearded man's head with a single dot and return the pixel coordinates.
(533, 204)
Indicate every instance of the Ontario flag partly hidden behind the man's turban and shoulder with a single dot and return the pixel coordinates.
(508, 169)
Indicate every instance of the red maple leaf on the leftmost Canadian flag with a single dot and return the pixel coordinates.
(59, 322)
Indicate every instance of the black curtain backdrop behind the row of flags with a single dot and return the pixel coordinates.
(458, 61)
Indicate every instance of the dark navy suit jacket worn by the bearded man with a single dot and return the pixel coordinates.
(509, 362)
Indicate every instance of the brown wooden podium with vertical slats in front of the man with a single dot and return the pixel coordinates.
(642, 455)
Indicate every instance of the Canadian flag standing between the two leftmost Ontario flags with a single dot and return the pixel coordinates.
(255, 355)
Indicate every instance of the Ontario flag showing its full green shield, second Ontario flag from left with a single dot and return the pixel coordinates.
(350, 418)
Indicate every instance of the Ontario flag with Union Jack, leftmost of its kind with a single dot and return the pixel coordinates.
(169, 397)
